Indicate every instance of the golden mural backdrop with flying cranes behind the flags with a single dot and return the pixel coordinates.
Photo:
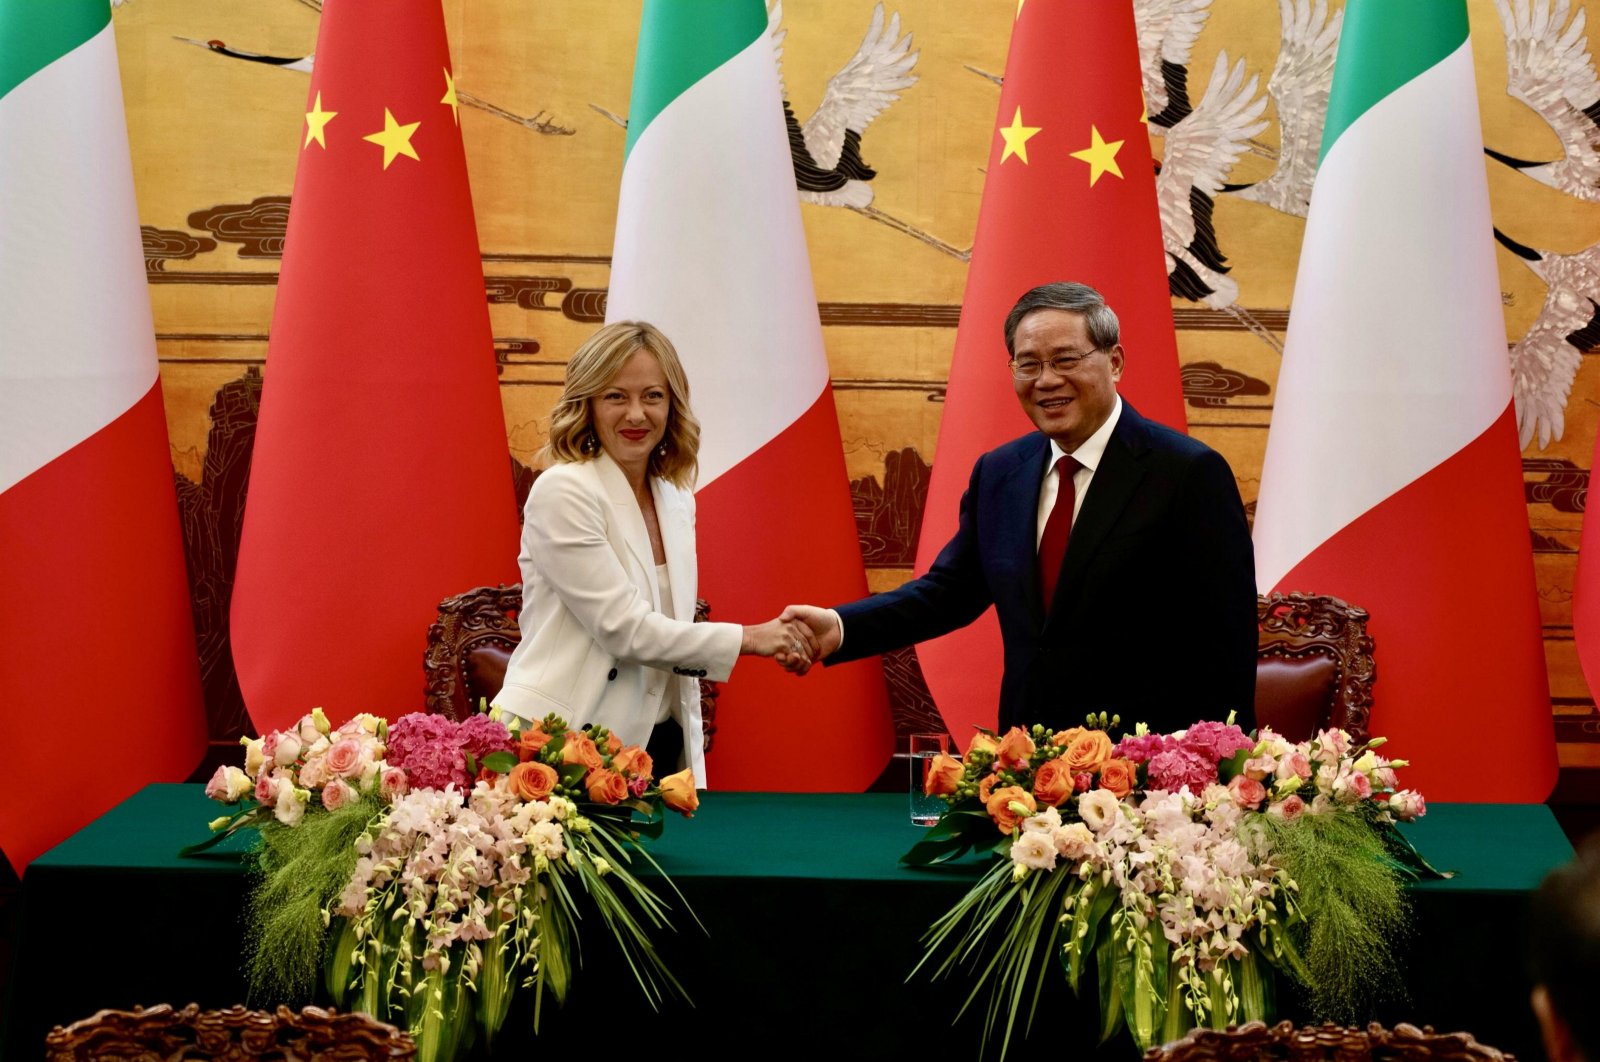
(217, 95)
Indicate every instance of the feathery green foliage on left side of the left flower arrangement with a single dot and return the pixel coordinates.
(298, 874)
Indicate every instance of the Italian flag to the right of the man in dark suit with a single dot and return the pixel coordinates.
(1393, 474)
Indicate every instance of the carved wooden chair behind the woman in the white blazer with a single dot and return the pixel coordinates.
(470, 647)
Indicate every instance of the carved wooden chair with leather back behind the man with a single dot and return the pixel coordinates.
(1314, 666)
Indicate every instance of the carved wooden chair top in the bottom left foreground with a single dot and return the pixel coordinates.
(234, 1034)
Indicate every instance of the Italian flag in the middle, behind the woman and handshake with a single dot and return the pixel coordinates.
(710, 249)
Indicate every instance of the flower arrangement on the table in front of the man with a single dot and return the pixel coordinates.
(1188, 868)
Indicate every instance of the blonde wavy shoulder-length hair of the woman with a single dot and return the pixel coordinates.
(593, 369)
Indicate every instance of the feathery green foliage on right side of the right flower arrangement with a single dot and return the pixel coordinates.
(1351, 909)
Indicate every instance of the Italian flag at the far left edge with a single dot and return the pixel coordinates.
(94, 597)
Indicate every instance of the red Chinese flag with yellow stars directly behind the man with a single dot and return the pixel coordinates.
(1071, 196)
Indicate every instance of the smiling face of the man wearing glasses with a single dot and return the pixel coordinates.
(1066, 409)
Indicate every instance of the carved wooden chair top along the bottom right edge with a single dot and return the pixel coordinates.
(1332, 1044)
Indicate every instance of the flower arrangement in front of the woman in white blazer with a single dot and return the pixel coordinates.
(431, 868)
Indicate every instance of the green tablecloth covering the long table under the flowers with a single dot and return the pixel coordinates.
(812, 930)
